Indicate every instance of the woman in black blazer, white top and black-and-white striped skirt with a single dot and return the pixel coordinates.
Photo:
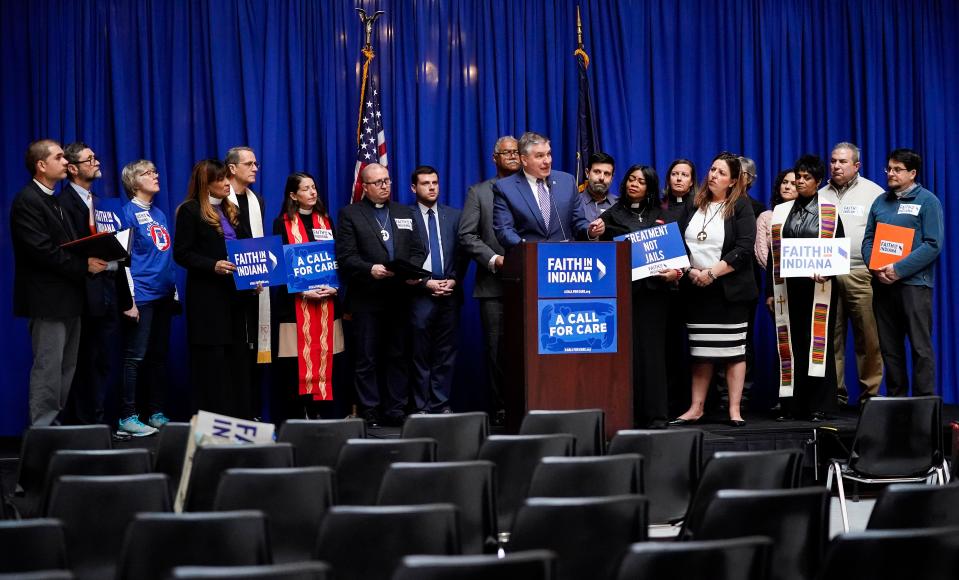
(719, 229)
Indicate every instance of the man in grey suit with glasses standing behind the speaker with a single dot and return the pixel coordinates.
(479, 242)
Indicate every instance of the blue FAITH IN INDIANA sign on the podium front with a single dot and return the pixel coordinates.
(581, 270)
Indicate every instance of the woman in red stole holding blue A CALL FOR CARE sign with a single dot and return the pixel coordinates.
(305, 320)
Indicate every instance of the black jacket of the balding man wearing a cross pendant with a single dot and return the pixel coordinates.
(359, 247)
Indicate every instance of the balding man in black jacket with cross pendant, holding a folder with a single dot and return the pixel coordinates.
(372, 233)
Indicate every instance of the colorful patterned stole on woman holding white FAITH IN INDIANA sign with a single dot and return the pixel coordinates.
(819, 330)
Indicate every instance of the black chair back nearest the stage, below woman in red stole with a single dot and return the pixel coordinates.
(318, 441)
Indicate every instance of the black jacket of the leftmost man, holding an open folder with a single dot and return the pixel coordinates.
(48, 280)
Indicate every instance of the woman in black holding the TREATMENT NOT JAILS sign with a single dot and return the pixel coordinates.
(638, 208)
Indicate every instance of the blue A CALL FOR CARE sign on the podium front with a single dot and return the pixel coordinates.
(573, 326)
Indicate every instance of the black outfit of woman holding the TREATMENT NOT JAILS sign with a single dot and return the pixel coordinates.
(651, 316)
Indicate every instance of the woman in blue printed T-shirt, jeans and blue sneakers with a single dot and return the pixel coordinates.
(146, 326)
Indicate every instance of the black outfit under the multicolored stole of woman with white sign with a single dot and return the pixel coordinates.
(810, 394)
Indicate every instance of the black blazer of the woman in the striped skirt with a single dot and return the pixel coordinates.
(740, 284)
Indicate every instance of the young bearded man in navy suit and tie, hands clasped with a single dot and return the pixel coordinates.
(436, 303)
